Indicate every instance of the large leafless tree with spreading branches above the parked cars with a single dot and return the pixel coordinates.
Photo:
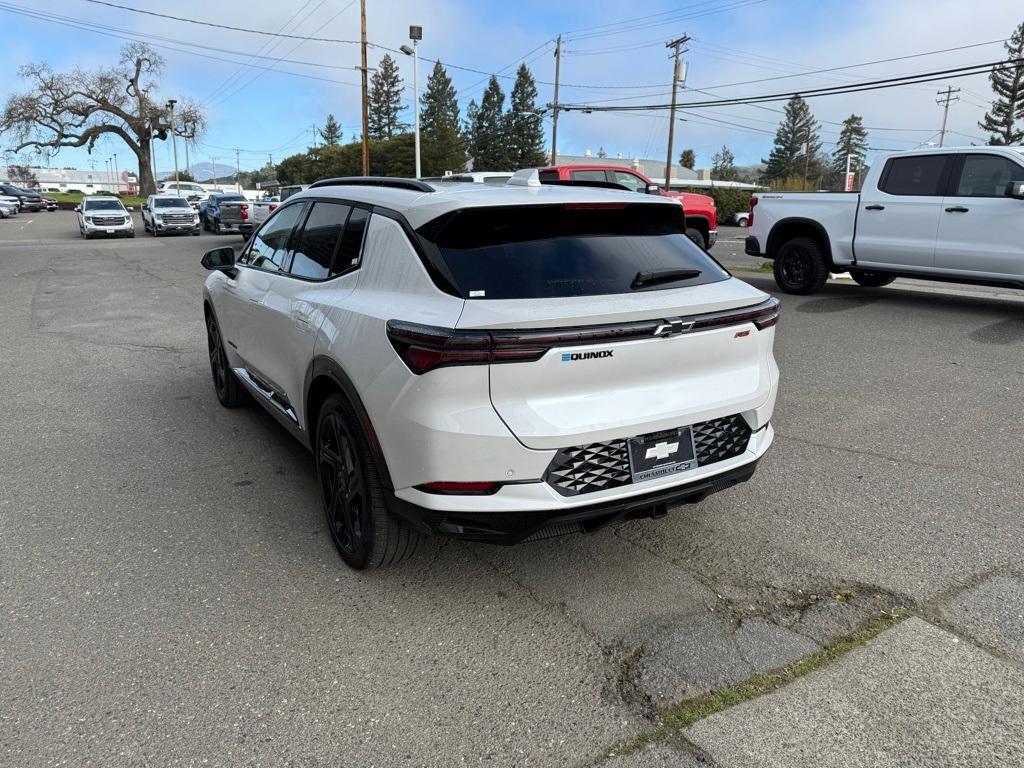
(78, 108)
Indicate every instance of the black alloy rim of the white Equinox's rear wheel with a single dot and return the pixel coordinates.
(344, 489)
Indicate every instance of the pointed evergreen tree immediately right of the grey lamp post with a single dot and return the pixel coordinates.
(443, 146)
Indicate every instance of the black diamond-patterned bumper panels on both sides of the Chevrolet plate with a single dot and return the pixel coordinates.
(585, 470)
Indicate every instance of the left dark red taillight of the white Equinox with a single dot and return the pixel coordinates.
(425, 348)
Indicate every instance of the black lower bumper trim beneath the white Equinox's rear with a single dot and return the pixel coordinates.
(513, 528)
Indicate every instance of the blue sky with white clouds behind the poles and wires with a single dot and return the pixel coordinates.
(615, 53)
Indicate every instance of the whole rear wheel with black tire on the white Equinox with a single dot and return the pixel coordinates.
(365, 534)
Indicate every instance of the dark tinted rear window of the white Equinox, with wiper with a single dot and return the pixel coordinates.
(534, 252)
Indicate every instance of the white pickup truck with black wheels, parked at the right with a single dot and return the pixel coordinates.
(947, 215)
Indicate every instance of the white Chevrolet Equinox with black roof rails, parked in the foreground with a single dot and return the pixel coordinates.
(500, 364)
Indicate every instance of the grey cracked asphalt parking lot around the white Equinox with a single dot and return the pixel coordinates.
(169, 594)
